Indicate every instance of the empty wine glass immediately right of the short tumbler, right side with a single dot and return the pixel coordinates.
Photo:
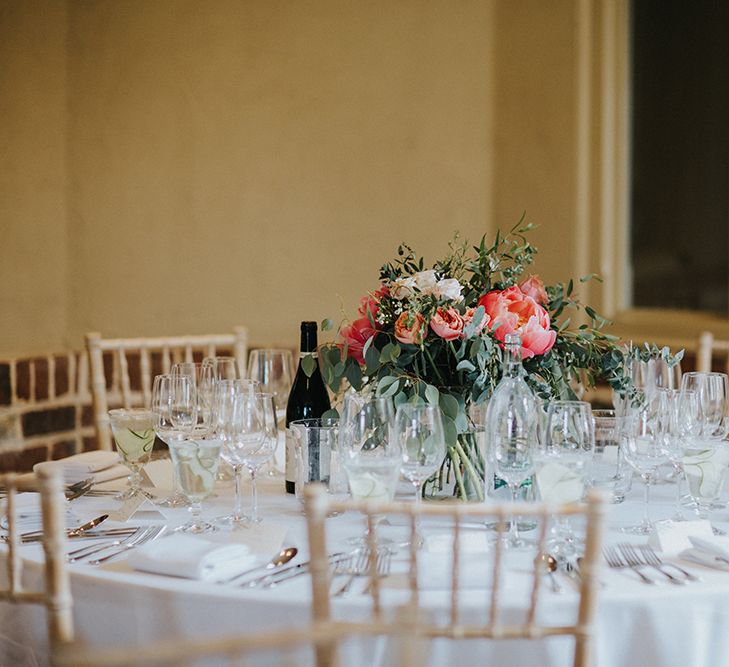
(644, 441)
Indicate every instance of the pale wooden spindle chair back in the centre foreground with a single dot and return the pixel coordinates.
(319, 505)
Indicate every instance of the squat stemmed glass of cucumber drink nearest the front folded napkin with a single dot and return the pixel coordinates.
(196, 459)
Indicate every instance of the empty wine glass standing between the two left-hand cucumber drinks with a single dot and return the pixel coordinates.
(174, 404)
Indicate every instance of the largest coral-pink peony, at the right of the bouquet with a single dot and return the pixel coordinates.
(512, 311)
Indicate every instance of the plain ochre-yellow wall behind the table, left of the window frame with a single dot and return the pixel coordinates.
(175, 166)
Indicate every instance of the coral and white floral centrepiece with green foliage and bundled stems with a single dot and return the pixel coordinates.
(436, 335)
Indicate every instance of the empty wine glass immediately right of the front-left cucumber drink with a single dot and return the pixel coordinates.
(242, 423)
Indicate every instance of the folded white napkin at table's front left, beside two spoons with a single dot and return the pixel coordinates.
(192, 558)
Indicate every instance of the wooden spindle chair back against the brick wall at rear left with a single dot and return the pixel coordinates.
(173, 349)
